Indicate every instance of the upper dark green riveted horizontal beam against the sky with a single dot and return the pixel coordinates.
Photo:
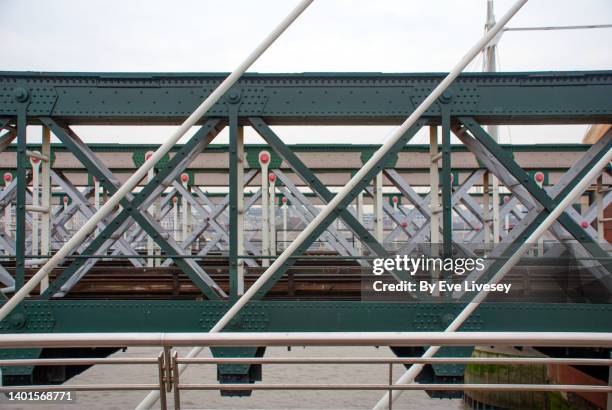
(308, 97)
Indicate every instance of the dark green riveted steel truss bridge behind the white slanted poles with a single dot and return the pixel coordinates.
(203, 226)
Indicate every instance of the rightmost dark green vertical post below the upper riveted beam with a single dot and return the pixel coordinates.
(447, 181)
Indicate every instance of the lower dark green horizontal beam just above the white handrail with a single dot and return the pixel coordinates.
(61, 316)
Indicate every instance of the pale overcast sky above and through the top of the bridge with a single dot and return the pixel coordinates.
(332, 35)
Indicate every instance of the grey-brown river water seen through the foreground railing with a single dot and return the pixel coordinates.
(259, 399)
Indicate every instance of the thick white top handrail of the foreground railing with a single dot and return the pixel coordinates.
(574, 339)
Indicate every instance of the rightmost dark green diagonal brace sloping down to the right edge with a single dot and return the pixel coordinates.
(534, 190)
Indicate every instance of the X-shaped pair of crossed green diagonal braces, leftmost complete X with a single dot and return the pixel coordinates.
(143, 199)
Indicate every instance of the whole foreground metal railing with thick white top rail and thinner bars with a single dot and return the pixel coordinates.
(168, 362)
